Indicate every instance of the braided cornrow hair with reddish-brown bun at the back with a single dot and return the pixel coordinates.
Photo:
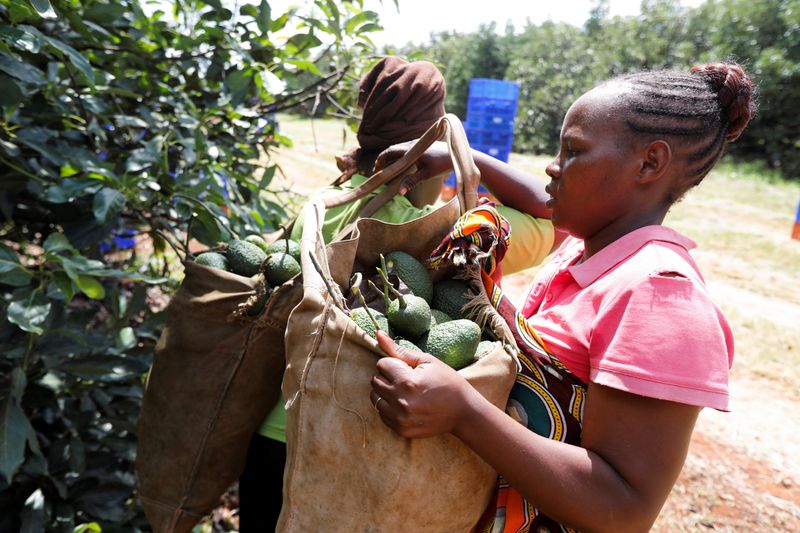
(700, 111)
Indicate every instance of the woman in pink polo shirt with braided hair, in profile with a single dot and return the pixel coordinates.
(628, 346)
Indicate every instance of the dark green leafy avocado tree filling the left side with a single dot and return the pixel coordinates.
(128, 129)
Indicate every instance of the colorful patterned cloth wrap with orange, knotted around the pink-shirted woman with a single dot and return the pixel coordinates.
(547, 398)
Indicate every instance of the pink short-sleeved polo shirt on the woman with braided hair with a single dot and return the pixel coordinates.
(636, 316)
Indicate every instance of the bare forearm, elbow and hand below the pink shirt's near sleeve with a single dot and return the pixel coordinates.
(631, 453)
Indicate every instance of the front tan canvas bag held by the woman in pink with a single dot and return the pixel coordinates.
(346, 470)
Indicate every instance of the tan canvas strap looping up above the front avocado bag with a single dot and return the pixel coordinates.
(449, 129)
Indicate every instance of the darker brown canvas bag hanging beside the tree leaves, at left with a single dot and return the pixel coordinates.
(216, 372)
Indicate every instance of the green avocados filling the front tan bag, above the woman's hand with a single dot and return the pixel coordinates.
(429, 319)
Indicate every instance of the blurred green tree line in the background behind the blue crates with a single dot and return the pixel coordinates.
(555, 62)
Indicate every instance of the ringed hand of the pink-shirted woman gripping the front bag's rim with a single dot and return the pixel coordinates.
(416, 394)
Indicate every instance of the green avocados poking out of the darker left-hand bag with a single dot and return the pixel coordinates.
(280, 261)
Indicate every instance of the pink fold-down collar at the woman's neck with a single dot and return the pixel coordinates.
(587, 272)
